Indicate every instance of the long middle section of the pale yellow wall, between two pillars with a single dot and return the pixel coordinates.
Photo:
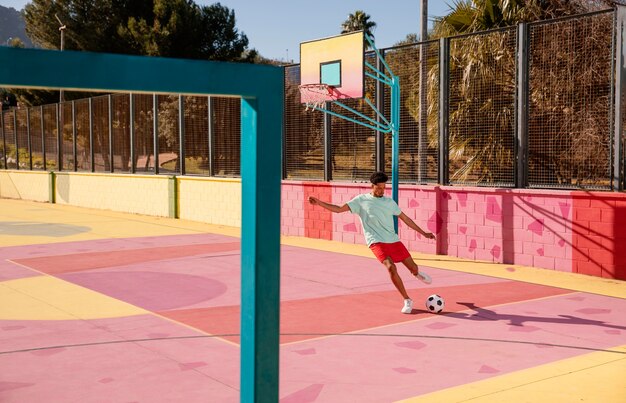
(140, 194)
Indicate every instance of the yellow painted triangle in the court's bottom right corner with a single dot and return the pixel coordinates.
(594, 377)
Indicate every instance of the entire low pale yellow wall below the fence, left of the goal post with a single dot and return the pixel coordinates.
(209, 200)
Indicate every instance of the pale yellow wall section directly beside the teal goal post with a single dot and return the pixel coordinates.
(210, 200)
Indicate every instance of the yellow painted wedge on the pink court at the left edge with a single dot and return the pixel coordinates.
(49, 298)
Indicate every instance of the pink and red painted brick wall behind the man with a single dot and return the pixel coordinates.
(558, 230)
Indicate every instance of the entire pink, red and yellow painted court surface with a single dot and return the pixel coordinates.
(104, 306)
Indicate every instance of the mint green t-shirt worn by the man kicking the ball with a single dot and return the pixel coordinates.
(376, 214)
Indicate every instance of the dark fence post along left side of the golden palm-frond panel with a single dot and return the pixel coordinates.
(444, 92)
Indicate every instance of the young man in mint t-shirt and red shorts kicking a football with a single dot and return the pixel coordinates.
(376, 212)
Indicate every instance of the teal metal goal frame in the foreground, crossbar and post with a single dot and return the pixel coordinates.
(261, 90)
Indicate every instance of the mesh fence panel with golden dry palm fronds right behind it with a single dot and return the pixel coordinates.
(482, 109)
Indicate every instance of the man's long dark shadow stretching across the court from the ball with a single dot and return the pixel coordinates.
(482, 314)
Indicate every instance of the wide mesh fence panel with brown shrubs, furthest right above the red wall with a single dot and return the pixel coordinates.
(570, 102)
